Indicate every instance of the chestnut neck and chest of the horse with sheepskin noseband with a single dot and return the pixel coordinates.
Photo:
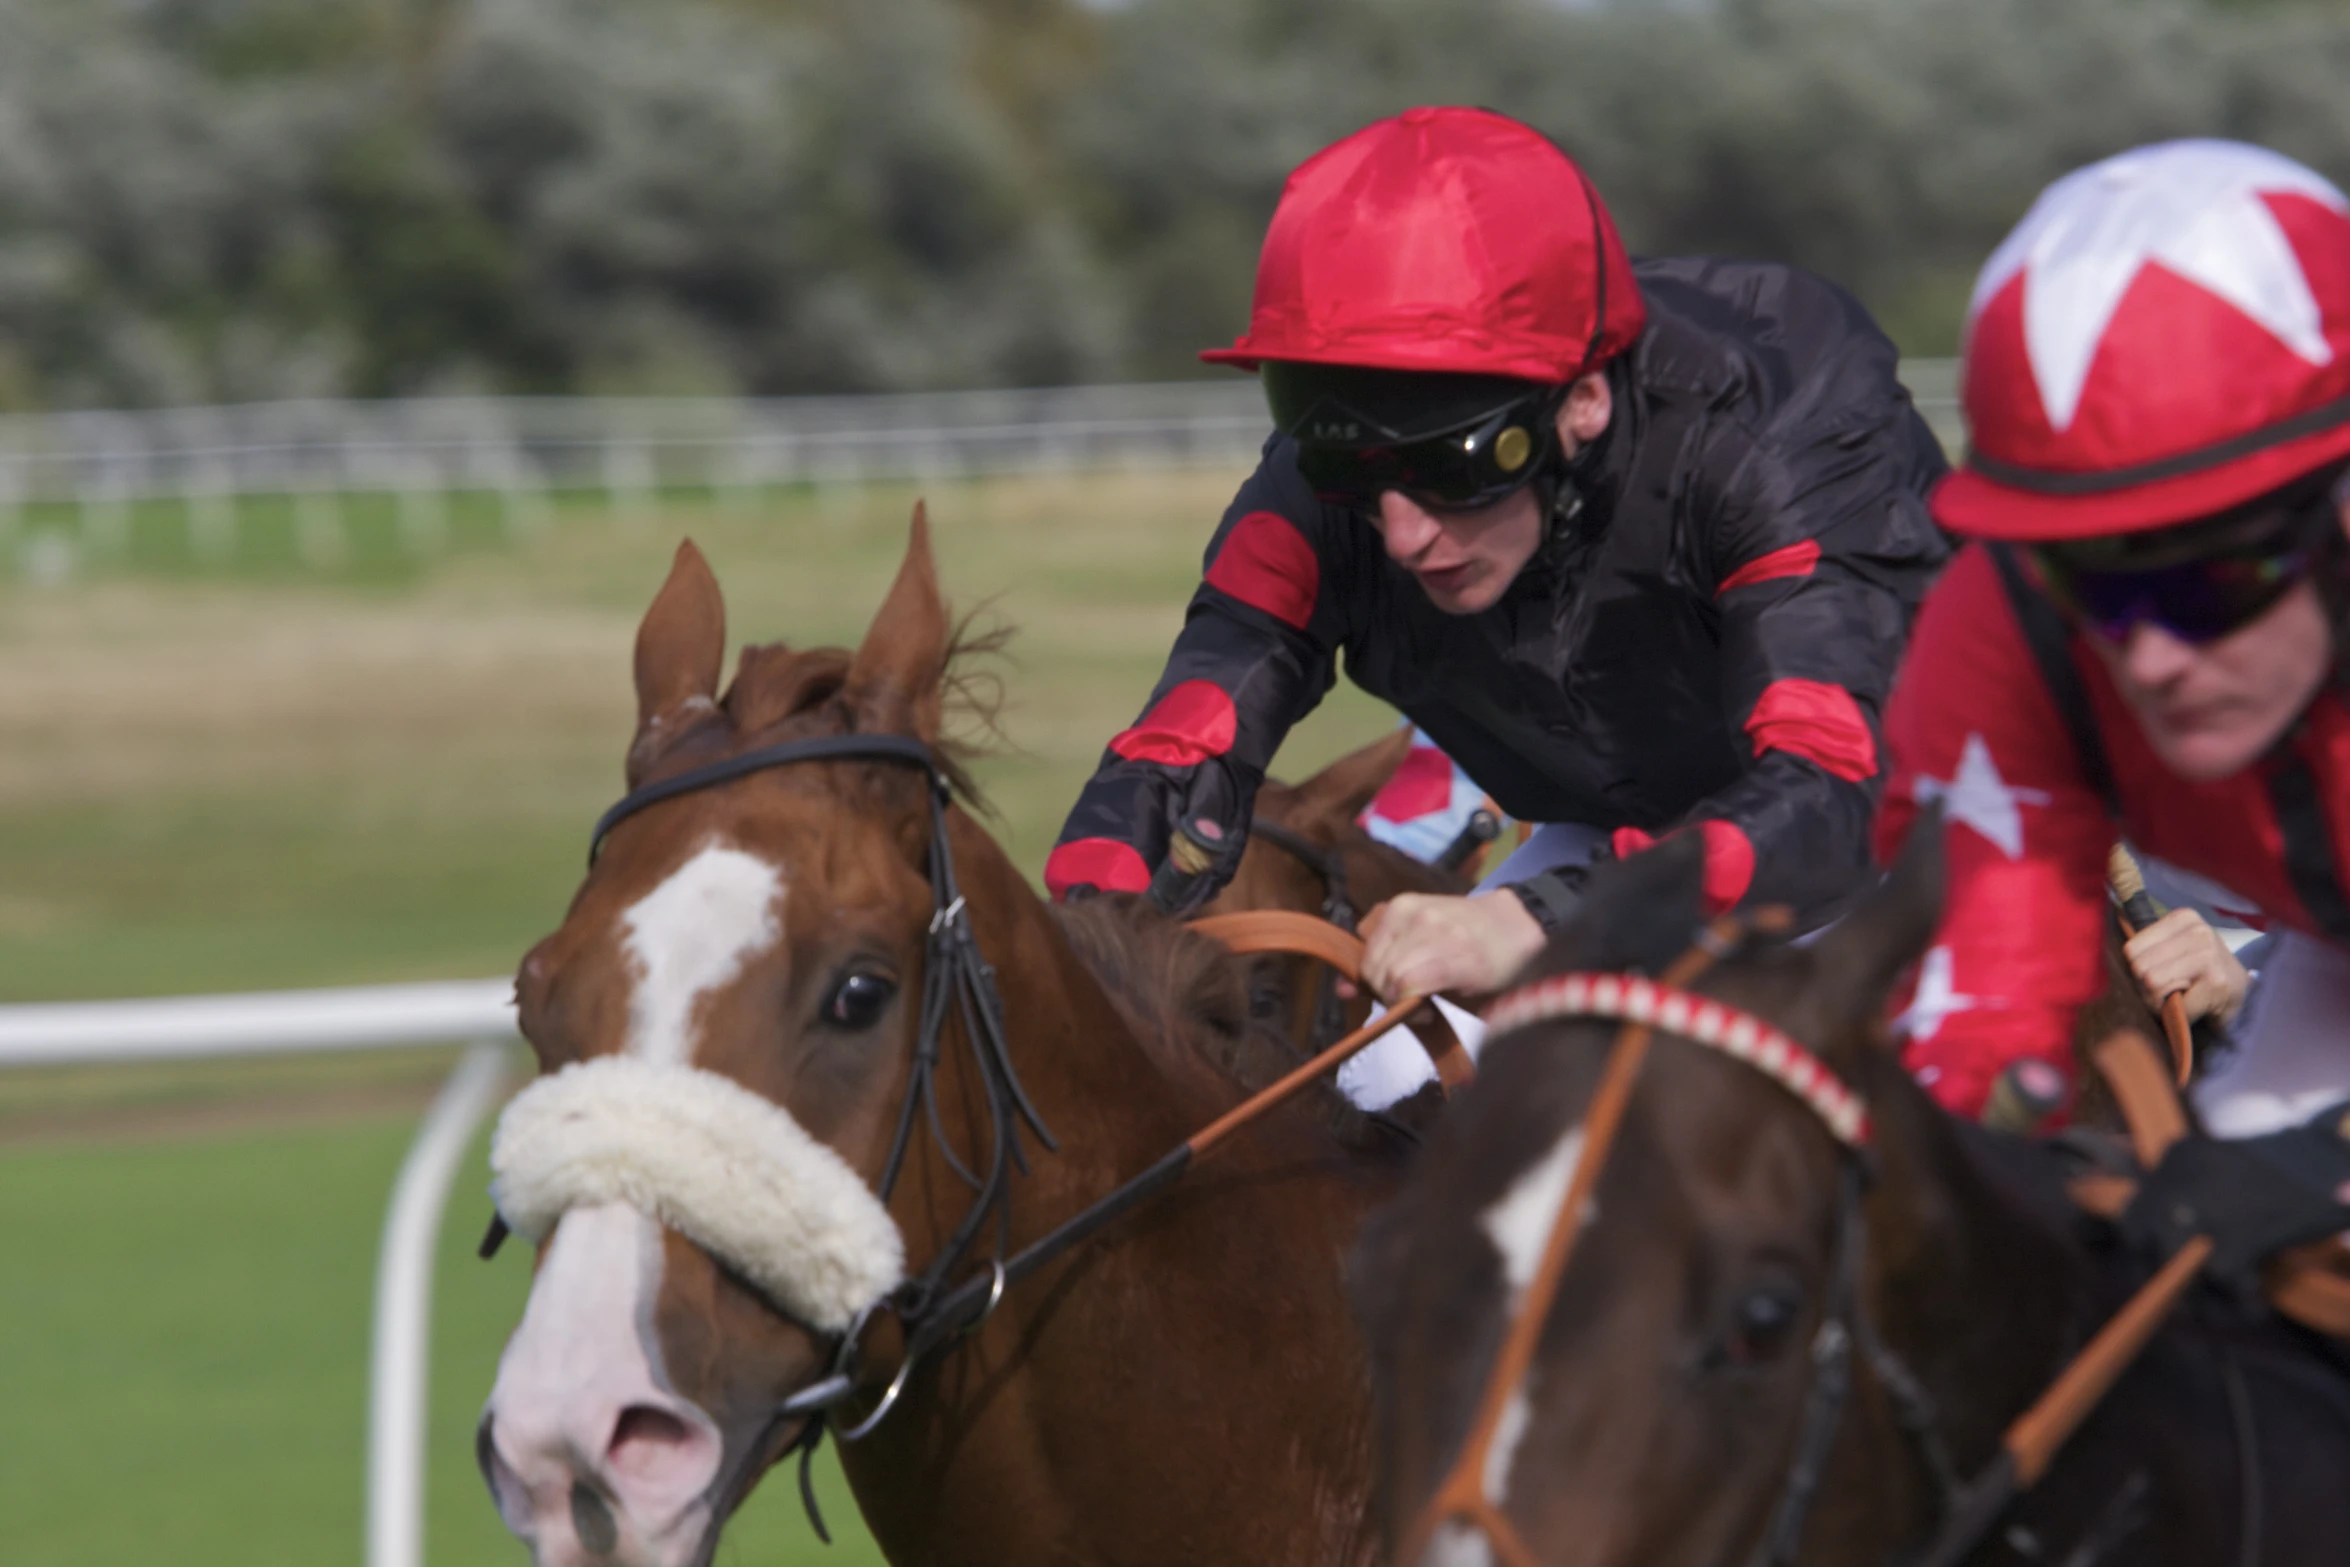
(1030, 1437)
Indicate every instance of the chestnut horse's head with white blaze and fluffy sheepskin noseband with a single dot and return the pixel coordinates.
(725, 1025)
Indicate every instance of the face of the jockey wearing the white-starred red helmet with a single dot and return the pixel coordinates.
(2213, 711)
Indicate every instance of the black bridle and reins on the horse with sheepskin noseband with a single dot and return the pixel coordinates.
(960, 983)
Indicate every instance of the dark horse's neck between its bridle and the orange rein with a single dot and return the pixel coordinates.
(1975, 1289)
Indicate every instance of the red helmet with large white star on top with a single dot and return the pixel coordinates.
(2166, 337)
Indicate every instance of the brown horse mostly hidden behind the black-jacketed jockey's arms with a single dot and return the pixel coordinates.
(1320, 861)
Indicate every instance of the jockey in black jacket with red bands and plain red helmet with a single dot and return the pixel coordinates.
(1637, 544)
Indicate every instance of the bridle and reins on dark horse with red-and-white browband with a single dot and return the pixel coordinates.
(1968, 1507)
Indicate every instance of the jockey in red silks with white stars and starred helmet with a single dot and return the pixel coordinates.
(2149, 635)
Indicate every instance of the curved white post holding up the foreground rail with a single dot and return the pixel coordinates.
(396, 1404)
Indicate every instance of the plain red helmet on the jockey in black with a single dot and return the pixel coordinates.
(1442, 241)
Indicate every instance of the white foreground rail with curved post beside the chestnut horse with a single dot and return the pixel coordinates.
(328, 1021)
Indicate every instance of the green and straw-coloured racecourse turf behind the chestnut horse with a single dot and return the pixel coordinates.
(243, 776)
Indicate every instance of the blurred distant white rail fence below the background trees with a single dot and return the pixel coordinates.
(316, 466)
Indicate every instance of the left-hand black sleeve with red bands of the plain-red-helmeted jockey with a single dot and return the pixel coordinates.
(1256, 654)
